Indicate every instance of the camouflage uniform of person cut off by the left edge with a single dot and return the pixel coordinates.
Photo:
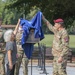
(2, 63)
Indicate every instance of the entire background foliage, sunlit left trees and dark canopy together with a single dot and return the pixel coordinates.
(11, 10)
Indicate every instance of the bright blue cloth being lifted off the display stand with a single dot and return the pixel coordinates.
(26, 25)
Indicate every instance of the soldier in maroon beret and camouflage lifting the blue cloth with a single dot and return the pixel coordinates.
(60, 48)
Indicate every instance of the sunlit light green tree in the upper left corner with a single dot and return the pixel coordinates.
(9, 16)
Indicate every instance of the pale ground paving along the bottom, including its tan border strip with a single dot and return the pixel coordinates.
(35, 70)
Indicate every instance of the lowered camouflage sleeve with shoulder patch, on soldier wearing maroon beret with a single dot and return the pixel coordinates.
(65, 44)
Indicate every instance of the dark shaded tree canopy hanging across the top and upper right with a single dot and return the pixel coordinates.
(52, 9)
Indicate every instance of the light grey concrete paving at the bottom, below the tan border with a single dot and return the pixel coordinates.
(37, 71)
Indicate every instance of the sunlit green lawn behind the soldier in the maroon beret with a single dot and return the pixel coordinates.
(49, 38)
